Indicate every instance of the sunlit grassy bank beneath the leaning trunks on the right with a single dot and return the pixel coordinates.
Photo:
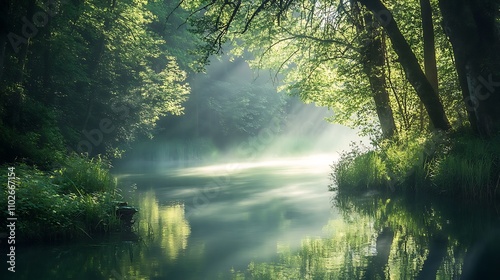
(456, 164)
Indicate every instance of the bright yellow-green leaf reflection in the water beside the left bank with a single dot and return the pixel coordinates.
(164, 233)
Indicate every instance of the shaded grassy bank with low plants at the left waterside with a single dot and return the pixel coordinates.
(72, 201)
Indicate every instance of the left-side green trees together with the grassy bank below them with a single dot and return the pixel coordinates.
(83, 78)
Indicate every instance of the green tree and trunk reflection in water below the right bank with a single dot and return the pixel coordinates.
(394, 237)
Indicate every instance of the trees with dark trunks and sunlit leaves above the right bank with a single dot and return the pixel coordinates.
(402, 66)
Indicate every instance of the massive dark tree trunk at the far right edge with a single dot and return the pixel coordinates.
(472, 29)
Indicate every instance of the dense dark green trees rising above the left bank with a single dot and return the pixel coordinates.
(93, 76)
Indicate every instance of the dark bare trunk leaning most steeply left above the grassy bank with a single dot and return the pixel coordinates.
(410, 64)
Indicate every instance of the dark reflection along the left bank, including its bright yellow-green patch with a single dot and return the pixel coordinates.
(157, 250)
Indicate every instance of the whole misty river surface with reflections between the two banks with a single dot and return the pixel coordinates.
(273, 219)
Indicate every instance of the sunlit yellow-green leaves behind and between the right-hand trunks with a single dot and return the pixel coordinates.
(321, 54)
